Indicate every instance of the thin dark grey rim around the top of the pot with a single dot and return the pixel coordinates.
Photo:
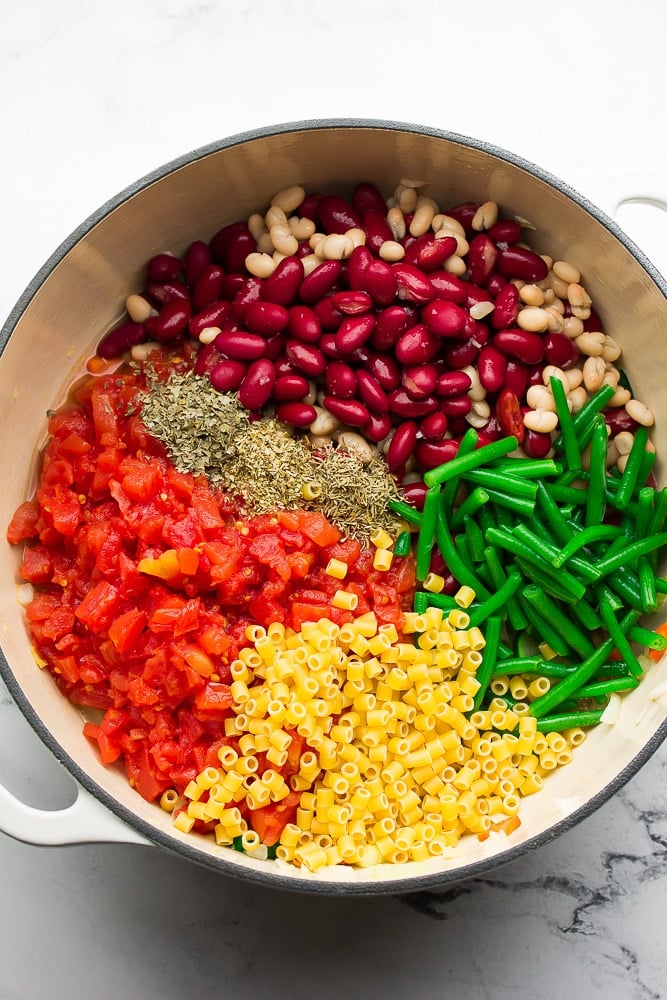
(400, 886)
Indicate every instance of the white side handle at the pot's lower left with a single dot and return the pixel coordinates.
(85, 821)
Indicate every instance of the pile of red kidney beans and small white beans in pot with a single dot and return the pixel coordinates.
(390, 325)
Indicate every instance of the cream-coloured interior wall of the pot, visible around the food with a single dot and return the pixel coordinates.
(83, 295)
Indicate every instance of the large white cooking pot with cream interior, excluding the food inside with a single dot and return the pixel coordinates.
(78, 295)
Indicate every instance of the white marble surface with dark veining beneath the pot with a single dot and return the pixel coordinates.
(96, 95)
